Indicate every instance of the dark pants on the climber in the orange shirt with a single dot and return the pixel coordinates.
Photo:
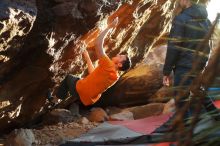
(68, 85)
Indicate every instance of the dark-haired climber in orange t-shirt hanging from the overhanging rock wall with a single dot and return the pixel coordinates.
(90, 88)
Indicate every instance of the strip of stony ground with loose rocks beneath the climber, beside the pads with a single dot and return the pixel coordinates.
(60, 124)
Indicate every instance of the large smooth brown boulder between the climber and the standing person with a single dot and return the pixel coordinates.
(140, 85)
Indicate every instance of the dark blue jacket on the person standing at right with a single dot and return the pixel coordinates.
(188, 30)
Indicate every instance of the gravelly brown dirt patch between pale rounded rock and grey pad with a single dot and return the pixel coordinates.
(58, 133)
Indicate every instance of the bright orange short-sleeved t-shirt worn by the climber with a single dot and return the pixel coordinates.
(91, 87)
